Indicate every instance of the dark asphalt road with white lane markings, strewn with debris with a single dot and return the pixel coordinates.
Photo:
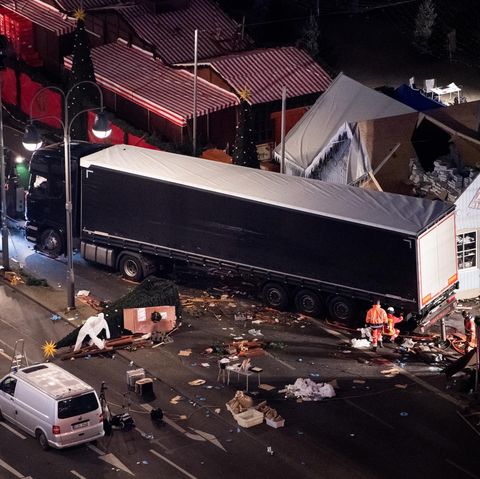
(372, 429)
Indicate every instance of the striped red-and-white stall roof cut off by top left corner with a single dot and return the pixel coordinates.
(41, 14)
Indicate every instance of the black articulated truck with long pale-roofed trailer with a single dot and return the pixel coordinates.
(309, 245)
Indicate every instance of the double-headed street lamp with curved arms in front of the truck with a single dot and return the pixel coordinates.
(32, 141)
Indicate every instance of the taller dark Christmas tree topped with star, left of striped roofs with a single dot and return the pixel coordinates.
(84, 95)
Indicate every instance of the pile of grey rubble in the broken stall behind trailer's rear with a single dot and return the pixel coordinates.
(444, 182)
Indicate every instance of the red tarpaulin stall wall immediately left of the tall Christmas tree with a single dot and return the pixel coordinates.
(46, 107)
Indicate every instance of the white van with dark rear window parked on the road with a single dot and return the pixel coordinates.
(51, 404)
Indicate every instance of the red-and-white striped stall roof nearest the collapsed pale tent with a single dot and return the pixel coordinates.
(264, 72)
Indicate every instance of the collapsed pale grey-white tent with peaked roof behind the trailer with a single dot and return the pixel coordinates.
(326, 143)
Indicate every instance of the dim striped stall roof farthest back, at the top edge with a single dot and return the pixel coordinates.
(172, 32)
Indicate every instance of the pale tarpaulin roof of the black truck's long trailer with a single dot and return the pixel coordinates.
(390, 211)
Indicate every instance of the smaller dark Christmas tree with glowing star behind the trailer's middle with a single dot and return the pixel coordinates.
(244, 150)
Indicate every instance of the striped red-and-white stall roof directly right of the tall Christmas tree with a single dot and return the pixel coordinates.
(134, 75)
